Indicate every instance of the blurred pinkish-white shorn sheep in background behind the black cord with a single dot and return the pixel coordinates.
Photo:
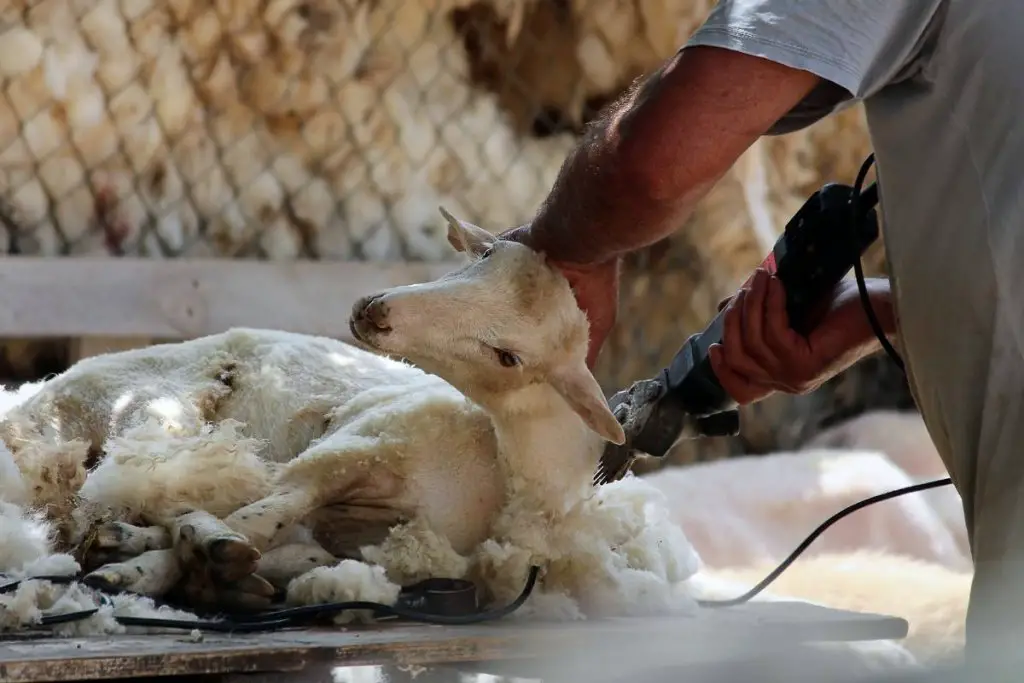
(753, 509)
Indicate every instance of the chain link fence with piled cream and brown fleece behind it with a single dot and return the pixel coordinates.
(333, 130)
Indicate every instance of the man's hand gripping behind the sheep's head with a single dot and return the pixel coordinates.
(596, 290)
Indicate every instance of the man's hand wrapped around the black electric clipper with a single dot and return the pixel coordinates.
(760, 354)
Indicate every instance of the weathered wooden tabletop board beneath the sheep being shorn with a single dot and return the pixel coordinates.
(694, 638)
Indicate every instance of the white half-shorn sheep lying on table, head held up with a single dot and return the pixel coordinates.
(386, 455)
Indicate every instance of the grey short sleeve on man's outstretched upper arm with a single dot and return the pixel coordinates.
(859, 46)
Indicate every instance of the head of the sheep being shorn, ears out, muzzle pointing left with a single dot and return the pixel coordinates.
(502, 325)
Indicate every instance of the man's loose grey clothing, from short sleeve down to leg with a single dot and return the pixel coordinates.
(943, 82)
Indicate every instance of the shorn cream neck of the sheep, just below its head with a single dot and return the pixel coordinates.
(547, 451)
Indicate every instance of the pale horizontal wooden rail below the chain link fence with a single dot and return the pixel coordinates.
(187, 298)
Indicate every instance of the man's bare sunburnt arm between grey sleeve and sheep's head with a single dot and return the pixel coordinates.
(644, 166)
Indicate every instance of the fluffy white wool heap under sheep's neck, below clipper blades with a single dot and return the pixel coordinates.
(616, 553)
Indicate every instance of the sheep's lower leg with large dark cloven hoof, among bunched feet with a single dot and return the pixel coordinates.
(219, 565)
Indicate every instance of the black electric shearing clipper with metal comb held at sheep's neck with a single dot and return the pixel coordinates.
(686, 401)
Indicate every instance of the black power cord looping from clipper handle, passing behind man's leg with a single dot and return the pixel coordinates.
(863, 202)
